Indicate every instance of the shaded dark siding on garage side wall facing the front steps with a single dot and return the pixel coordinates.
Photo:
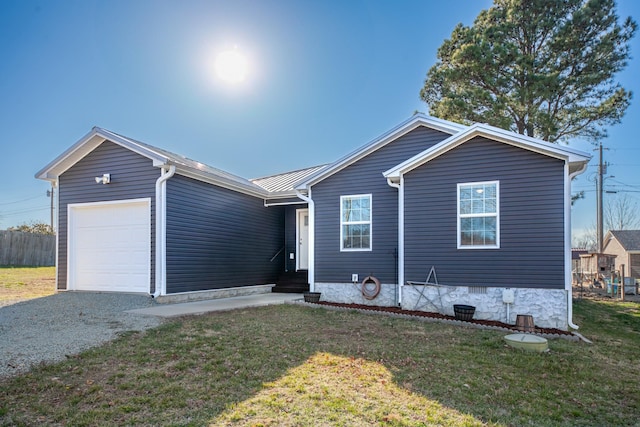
(218, 238)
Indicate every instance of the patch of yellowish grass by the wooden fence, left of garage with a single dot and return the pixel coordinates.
(20, 283)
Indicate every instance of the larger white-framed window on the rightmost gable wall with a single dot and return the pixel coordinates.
(479, 215)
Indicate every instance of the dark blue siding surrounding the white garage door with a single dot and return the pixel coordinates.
(132, 176)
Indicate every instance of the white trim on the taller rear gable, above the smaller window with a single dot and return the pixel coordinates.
(403, 128)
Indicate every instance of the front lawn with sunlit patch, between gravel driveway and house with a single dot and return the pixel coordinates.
(299, 366)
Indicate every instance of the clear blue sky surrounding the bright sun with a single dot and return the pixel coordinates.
(324, 78)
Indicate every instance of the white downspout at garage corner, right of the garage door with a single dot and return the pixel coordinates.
(161, 230)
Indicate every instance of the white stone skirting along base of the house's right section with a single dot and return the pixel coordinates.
(547, 306)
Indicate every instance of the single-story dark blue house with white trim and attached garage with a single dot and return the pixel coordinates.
(488, 209)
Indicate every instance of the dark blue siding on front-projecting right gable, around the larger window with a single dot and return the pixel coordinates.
(531, 204)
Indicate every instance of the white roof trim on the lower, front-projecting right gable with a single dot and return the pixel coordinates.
(570, 155)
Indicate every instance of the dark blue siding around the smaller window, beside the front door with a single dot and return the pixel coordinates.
(364, 177)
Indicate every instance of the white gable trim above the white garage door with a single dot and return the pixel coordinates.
(87, 144)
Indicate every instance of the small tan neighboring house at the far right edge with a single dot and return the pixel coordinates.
(625, 245)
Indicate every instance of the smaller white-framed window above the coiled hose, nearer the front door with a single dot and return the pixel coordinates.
(355, 222)
